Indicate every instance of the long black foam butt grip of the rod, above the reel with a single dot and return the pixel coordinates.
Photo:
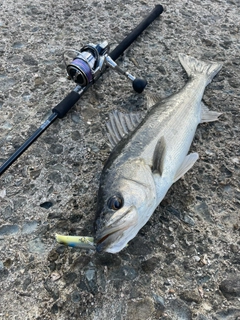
(118, 51)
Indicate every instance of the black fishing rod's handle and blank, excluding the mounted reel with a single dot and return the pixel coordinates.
(68, 102)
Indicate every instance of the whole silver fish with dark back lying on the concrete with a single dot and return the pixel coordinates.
(149, 155)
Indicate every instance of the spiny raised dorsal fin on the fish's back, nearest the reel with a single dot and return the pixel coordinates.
(120, 124)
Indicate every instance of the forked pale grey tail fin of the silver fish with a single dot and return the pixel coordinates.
(196, 67)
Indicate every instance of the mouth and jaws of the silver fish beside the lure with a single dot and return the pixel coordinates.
(113, 237)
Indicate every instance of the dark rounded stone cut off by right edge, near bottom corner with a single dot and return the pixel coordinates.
(230, 287)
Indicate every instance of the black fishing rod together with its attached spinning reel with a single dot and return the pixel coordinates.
(85, 67)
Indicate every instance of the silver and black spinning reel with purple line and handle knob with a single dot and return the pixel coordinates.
(85, 66)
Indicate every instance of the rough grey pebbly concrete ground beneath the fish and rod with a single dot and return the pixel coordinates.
(184, 263)
